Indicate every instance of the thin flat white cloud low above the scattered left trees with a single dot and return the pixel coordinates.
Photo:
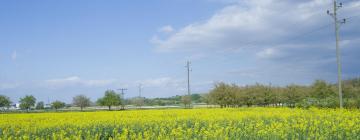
(77, 81)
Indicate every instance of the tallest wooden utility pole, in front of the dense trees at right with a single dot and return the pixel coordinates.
(338, 60)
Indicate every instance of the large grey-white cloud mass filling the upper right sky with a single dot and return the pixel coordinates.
(272, 35)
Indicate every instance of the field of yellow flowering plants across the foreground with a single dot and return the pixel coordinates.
(240, 123)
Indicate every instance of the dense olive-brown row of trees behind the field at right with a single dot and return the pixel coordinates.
(319, 94)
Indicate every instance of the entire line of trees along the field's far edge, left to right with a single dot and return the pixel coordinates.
(319, 94)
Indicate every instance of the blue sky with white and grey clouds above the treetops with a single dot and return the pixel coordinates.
(59, 49)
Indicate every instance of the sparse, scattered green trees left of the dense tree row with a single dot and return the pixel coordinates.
(110, 99)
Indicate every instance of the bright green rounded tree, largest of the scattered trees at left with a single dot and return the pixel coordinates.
(110, 99)
